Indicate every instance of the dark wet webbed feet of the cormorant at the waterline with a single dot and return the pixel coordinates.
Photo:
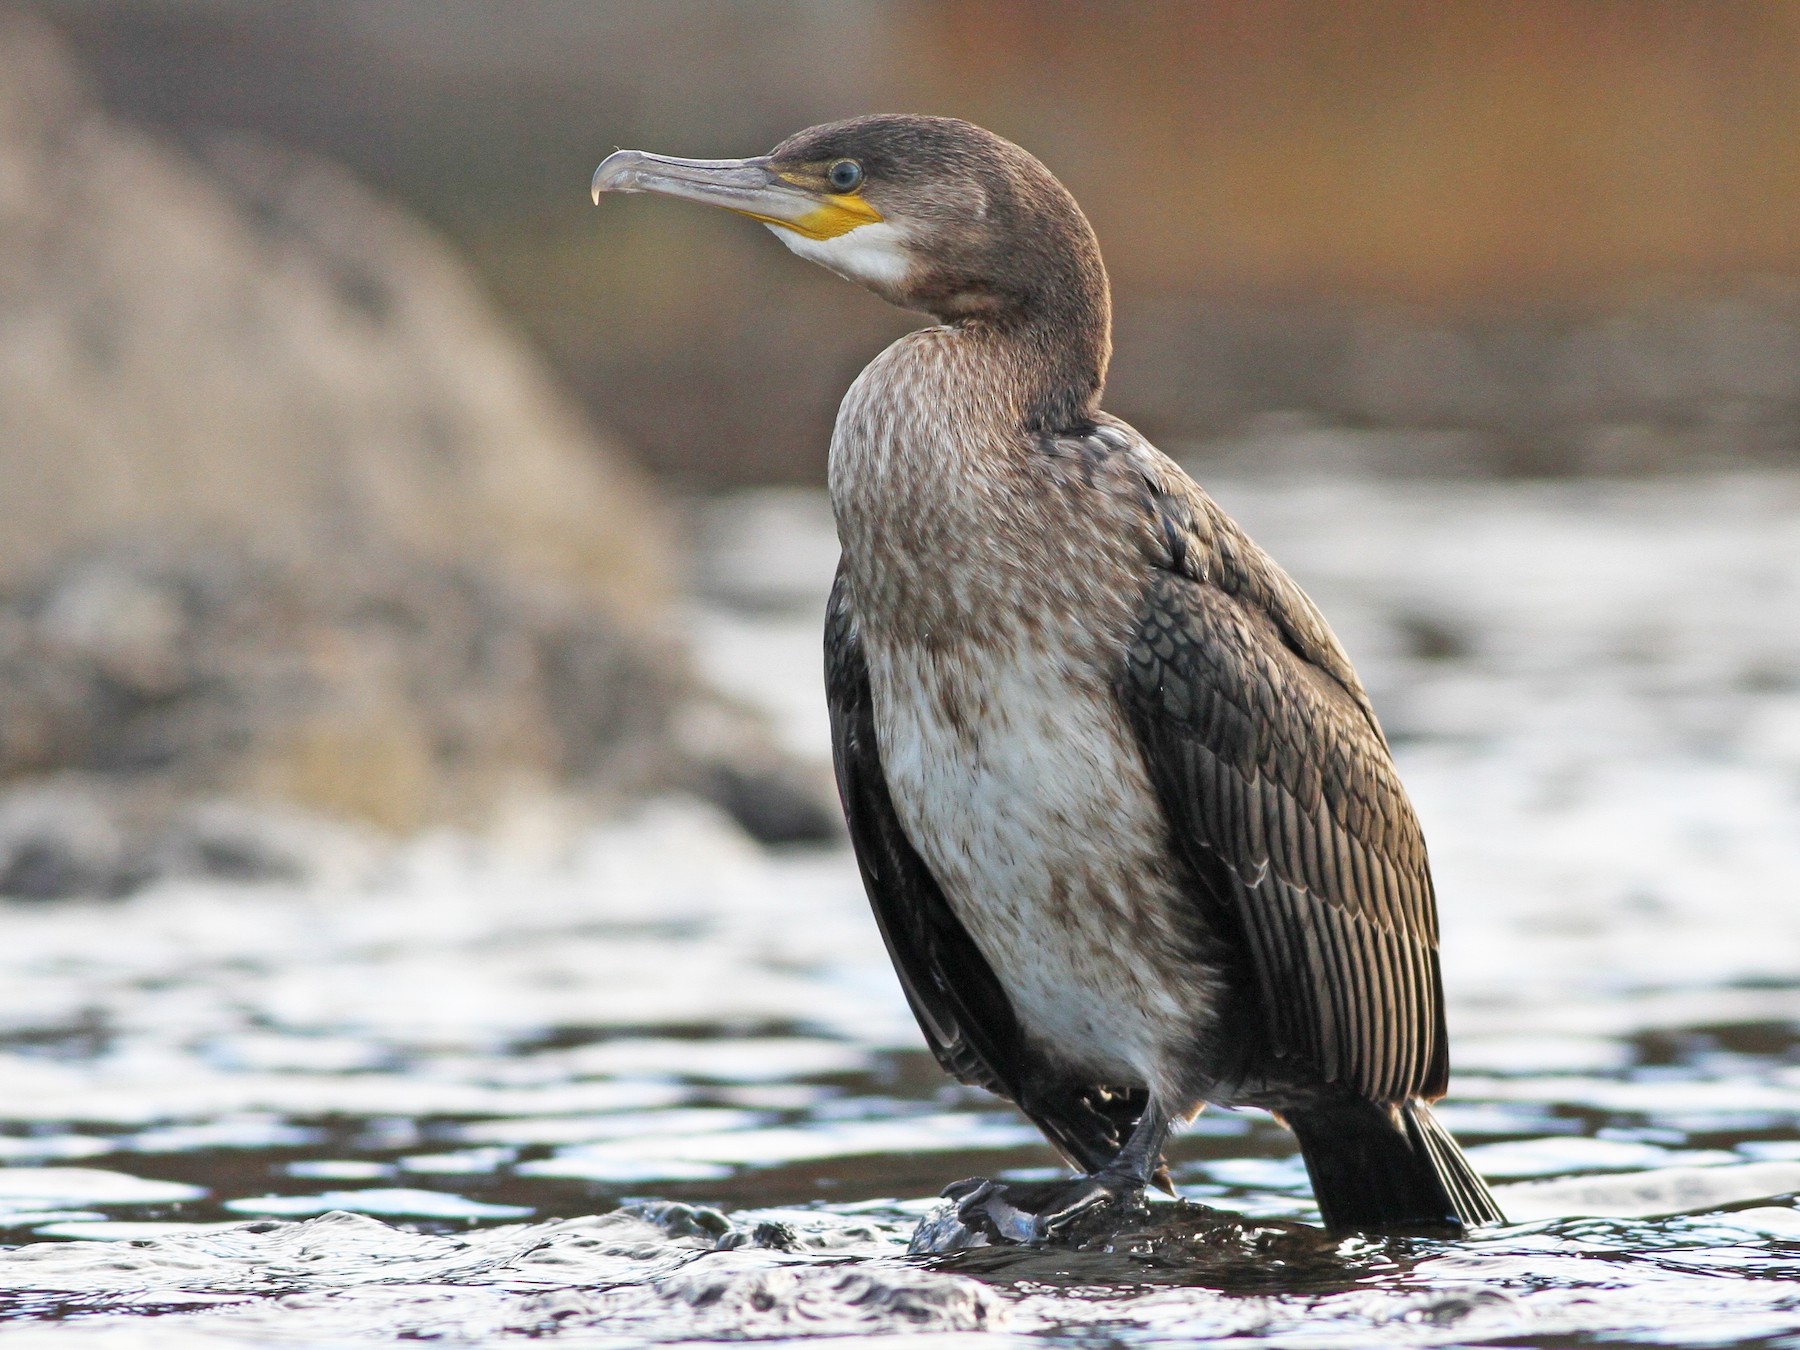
(1025, 1214)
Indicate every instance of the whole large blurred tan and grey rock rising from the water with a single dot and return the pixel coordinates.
(291, 514)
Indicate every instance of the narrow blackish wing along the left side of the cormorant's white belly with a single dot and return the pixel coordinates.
(960, 1005)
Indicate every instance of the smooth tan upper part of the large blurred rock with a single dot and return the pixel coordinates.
(256, 345)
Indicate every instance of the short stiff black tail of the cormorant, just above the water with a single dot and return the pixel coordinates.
(1381, 1167)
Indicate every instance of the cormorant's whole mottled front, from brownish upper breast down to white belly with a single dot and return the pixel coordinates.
(993, 618)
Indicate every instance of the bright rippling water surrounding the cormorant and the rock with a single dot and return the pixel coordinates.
(656, 1084)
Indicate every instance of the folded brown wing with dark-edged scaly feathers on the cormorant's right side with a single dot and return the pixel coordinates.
(1288, 813)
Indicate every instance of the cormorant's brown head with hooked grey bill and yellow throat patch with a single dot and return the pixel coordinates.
(930, 213)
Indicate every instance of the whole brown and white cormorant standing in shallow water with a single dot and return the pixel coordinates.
(1124, 811)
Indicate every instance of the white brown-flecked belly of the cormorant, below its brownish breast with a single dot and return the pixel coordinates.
(1018, 782)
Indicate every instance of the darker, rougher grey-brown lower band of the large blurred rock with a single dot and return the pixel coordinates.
(397, 690)
